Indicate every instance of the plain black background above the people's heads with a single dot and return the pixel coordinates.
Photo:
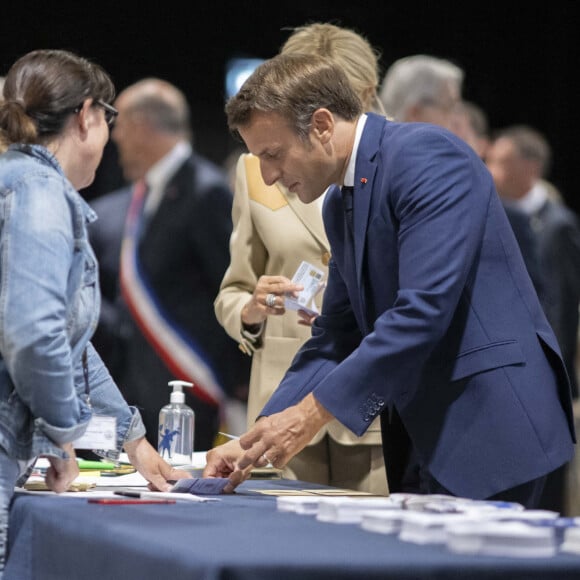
(521, 61)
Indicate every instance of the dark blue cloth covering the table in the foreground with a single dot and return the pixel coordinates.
(241, 537)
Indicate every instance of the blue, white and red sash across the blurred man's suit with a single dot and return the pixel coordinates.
(178, 352)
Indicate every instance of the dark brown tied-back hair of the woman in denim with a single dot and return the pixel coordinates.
(44, 87)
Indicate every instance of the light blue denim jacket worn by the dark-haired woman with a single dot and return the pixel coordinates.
(49, 306)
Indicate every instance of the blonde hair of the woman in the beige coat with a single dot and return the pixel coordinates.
(346, 49)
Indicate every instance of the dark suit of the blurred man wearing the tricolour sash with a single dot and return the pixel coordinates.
(184, 252)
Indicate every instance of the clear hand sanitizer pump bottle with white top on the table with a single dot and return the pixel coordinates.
(176, 427)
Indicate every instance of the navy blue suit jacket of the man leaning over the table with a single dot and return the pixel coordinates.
(431, 313)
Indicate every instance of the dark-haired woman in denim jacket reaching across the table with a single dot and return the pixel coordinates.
(55, 121)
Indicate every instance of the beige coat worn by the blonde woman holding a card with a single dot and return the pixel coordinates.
(273, 232)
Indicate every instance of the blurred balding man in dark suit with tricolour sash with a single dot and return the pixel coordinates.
(162, 245)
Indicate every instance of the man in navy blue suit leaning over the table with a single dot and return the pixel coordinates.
(429, 319)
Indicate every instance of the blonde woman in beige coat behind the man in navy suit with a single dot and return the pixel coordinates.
(273, 233)
